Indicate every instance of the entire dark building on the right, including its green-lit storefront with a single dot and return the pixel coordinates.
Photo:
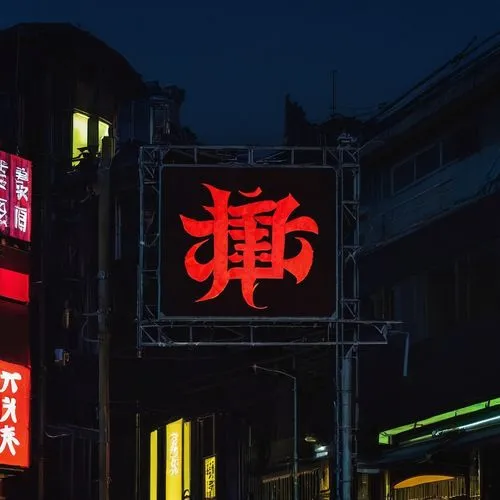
(431, 259)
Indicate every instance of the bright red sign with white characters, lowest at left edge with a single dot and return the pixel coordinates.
(15, 415)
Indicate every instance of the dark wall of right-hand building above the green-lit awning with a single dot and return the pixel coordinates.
(431, 260)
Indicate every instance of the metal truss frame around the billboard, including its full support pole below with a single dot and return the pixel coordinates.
(345, 330)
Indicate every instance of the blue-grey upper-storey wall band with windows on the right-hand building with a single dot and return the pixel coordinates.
(445, 182)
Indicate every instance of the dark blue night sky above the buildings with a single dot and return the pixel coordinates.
(237, 60)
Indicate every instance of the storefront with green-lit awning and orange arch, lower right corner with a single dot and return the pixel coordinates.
(452, 455)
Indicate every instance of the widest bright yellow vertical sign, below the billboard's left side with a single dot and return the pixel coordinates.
(174, 469)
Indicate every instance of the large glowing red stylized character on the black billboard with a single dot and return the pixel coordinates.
(255, 244)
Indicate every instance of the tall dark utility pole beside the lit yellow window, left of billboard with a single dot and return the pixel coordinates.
(104, 189)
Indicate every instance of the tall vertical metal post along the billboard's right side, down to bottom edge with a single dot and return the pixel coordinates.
(348, 192)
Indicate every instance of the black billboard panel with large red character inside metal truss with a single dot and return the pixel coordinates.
(249, 241)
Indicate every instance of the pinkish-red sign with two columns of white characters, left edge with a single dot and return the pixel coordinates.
(15, 196)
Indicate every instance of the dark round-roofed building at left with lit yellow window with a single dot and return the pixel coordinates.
(60, 91)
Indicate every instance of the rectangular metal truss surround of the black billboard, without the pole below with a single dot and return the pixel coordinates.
(154, 329)
